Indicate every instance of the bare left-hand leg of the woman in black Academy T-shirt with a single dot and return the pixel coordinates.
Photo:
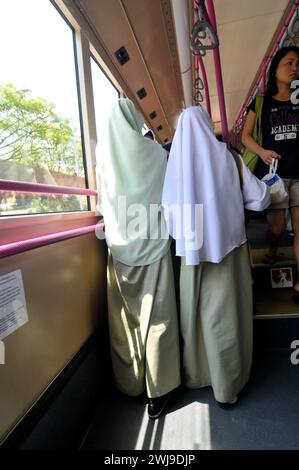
(277, 224)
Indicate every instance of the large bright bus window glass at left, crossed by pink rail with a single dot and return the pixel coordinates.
(40, 137)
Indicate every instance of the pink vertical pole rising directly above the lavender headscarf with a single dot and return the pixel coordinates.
(219, 79)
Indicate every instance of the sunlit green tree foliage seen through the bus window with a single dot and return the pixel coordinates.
(32, 133)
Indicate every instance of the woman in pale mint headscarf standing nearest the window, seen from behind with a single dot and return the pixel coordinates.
(141, 297)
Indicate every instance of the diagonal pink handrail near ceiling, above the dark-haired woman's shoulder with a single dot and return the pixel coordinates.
(265, 63)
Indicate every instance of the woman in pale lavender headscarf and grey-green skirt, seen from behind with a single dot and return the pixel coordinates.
(205, 194)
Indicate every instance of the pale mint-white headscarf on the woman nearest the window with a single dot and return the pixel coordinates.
(131, 166)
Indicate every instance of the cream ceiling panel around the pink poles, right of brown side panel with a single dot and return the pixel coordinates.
(245, 31)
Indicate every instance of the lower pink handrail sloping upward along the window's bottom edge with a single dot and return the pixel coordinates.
(24, 245)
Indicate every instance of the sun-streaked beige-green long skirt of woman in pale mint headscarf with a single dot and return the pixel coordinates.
(143, 327)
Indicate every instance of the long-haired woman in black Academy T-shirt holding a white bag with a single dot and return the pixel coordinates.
(280, 130)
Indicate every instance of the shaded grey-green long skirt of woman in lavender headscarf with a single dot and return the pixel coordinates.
(216, 324)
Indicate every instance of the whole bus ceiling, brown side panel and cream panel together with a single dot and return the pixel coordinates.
(146, 46)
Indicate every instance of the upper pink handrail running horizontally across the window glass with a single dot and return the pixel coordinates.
(24, 187)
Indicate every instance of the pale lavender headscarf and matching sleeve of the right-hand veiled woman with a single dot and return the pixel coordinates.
(201, 171)
